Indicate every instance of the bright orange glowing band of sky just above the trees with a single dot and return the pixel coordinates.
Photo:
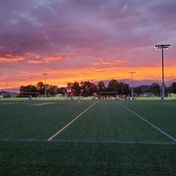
(153, 74)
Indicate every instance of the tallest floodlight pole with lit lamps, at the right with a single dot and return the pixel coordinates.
(162, 47)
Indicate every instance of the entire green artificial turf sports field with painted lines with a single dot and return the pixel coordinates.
(46, 138)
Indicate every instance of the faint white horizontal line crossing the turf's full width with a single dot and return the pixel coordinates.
(89, 141)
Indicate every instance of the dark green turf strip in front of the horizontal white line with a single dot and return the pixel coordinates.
(21, 158)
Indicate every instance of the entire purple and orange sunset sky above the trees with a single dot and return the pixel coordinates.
(85, 40)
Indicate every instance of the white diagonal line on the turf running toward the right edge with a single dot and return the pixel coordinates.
(149, 123)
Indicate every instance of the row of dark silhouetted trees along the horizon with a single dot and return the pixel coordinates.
(87, 88)
